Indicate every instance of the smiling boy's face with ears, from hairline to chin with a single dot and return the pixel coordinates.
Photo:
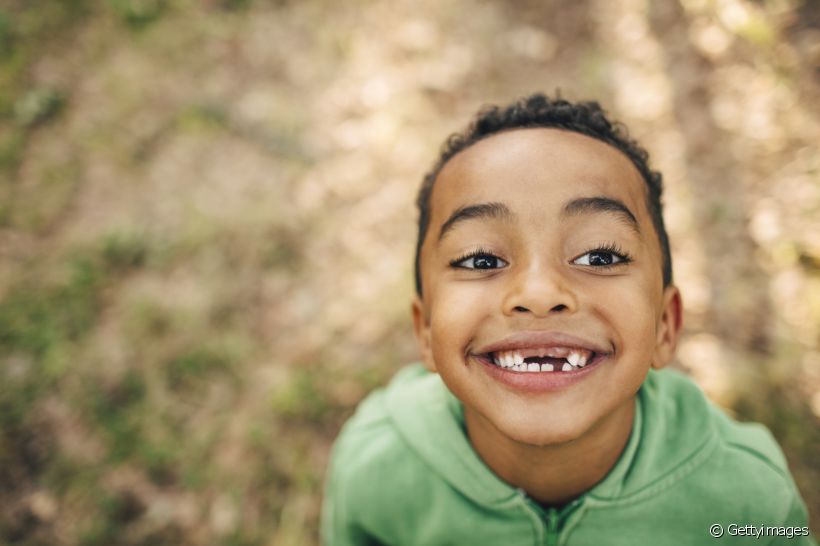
(540, 243)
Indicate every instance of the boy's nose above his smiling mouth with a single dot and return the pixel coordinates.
(539, 290)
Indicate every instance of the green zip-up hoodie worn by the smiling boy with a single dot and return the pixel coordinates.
(404, 473)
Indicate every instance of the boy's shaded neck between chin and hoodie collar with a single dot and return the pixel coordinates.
(553, 474)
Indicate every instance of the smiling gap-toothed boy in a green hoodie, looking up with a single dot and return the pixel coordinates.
(545, 308)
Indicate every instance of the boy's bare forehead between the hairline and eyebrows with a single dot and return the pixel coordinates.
(537, 170)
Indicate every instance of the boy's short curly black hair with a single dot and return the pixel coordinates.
(539, 111)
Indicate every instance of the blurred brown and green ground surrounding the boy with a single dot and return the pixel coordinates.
(207, 230)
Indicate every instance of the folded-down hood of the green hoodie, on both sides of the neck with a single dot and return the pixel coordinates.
(666, 435)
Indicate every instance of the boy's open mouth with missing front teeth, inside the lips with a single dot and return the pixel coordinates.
(543, 359)
